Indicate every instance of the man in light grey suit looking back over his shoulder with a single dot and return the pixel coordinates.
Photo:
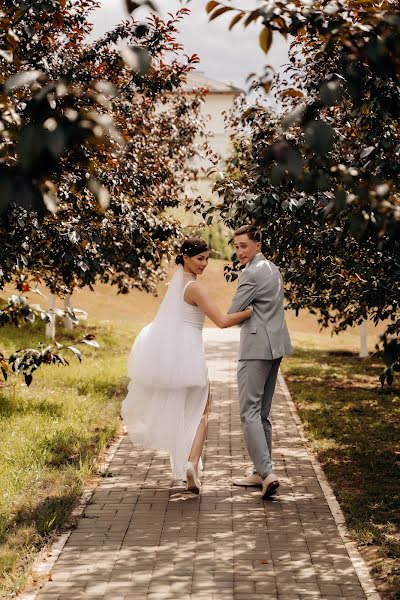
(264, 339)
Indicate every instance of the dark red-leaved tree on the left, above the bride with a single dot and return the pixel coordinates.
(96, 142)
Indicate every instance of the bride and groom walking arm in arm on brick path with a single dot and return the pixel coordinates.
(167, 407)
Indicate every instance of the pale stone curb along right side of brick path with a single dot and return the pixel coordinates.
(358, 562)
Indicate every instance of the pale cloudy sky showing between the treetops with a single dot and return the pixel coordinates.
(227, 56)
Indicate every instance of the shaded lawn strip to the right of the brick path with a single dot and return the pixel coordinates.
(353, 428)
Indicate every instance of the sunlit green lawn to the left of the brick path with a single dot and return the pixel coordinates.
(51, 433)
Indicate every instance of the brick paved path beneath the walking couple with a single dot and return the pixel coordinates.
(143, 537)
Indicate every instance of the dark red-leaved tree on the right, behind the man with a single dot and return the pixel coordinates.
(322, 179)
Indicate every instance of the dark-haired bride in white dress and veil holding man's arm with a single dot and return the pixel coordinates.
(166, 407)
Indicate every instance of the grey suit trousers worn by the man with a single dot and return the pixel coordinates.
(256, 383)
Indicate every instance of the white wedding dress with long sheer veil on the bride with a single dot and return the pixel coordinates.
(168, 390)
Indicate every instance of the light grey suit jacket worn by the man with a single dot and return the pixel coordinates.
(265, 335)
